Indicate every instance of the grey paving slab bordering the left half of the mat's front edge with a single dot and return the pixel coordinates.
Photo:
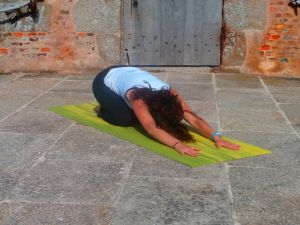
(85, 143)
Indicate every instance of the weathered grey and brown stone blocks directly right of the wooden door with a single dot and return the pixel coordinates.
(238, 16)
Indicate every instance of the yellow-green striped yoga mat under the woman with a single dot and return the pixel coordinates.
(209, 154)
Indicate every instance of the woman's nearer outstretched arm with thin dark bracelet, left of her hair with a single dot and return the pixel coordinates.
(143, 115)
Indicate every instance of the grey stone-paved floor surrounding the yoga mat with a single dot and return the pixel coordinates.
(54, 171)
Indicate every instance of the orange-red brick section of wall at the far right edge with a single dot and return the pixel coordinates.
(275, 50)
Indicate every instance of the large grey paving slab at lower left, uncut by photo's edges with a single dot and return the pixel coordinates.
(68, 183)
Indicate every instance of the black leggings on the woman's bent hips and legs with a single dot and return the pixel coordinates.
(113, 108)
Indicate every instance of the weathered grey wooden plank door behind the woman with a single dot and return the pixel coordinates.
(172, 32)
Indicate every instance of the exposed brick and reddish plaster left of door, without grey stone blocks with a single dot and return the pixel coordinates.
(61, 48)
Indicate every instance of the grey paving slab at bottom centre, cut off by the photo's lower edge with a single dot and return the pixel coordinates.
(159, 201)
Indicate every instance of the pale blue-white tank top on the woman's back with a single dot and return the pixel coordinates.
(121, 79)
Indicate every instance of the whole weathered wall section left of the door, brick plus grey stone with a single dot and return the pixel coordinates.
(73, 36)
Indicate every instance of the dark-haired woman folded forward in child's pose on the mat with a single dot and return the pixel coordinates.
(128, 96)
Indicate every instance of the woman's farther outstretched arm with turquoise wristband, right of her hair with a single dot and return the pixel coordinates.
(202, 126)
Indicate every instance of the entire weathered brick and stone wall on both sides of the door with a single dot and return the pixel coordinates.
(259, 37)
